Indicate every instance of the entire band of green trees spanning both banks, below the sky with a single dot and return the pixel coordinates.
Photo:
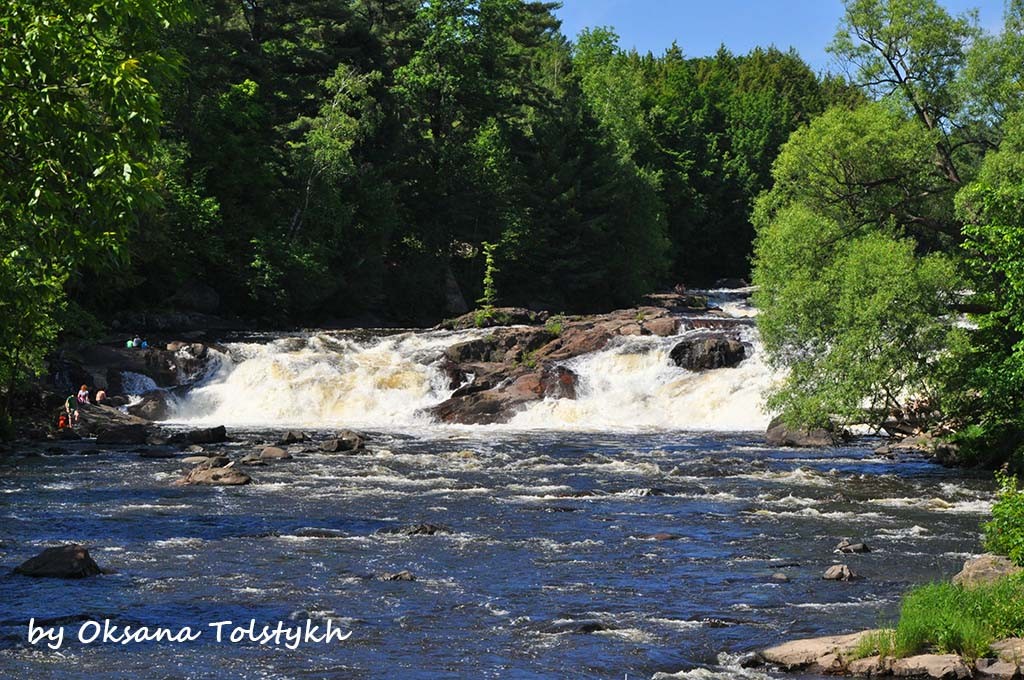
(301, 163)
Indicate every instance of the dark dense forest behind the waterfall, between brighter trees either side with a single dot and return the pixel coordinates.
(325, 159)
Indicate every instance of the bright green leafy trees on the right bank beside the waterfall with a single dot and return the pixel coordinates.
(889, 249)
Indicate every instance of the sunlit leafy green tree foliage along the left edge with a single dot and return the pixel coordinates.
(79, 118)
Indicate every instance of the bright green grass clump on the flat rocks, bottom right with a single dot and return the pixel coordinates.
(948, 619)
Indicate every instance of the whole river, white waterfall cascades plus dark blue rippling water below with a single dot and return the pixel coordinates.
(635, 532)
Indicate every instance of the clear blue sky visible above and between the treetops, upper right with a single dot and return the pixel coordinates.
(701, 26)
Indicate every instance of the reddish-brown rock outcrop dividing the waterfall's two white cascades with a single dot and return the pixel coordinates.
(495, 376)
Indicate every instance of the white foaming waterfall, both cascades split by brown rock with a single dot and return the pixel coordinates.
(325, 380)
